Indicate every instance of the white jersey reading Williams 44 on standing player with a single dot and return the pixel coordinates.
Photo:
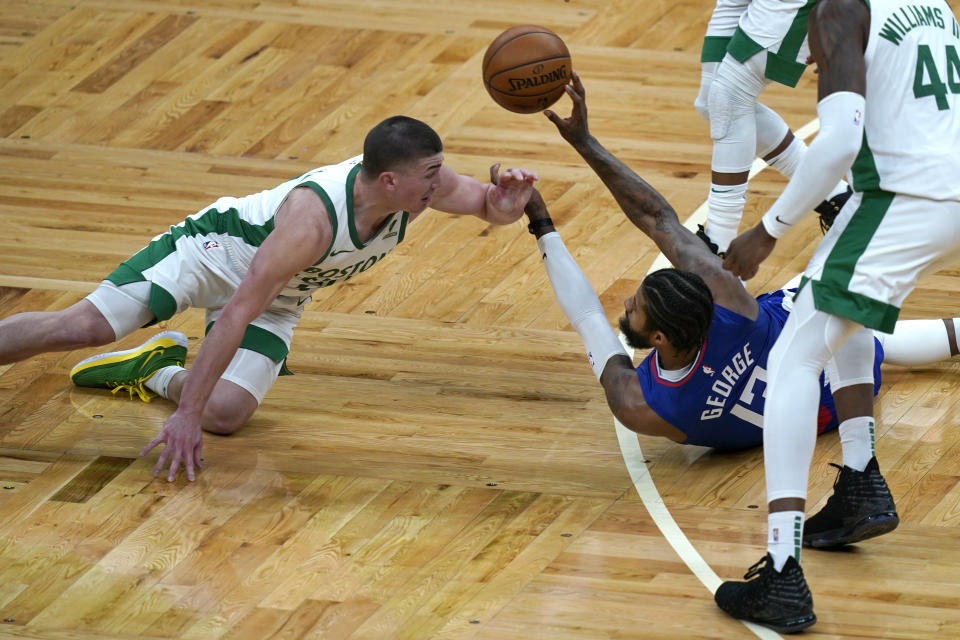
(912, 113)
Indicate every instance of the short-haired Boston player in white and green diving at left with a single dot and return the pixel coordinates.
(252, 263)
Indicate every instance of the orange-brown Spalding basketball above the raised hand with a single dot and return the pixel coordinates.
(526, 68)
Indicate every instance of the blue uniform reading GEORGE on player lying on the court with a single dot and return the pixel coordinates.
(720, 402)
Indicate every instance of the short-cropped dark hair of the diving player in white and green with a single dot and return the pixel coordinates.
(395, 142)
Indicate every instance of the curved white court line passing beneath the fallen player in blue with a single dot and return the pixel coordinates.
(633, 455)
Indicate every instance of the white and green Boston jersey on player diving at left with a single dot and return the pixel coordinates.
(226, 235)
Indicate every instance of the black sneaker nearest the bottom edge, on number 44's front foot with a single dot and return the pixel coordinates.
(779, 600)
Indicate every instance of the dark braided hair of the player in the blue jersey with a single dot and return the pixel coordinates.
(679, 304)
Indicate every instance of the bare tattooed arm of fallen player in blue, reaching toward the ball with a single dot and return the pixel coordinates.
(648, 210)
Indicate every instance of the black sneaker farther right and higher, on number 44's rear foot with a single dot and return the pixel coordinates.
(861, 507)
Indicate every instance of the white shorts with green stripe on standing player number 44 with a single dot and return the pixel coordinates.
(879, 246)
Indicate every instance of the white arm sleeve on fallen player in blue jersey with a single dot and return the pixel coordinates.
(579, 302)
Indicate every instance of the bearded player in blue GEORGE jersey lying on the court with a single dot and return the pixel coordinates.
(704, 381)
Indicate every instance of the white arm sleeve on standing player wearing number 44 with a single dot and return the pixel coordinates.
(827, 159)
